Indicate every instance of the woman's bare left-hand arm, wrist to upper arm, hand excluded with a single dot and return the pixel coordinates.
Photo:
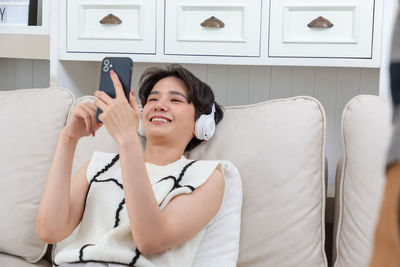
(61, 208)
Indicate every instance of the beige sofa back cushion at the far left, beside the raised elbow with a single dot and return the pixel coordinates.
(30, 120)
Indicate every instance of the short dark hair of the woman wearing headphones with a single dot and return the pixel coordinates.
(199, 92)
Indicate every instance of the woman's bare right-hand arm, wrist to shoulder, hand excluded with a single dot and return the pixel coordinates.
(154, 230)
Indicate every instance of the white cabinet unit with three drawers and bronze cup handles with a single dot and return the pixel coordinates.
(238, 32)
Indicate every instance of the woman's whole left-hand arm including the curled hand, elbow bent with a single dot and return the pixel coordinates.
(61, 205)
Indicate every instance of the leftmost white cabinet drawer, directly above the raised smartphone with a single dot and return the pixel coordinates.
(124, 26)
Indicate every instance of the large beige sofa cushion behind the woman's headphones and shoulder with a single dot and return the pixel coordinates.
(278, 148)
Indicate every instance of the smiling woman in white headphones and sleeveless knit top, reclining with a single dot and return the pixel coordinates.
(136, 208)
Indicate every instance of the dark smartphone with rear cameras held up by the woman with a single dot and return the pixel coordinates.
(123, 67)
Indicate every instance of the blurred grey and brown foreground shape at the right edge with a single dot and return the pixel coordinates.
(386, 250)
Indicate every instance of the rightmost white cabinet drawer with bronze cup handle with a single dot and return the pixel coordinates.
(315, 28)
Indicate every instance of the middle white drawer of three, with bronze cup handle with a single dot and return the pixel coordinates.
(226, 28)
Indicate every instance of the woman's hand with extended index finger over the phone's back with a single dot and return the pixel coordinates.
(120, 117)
